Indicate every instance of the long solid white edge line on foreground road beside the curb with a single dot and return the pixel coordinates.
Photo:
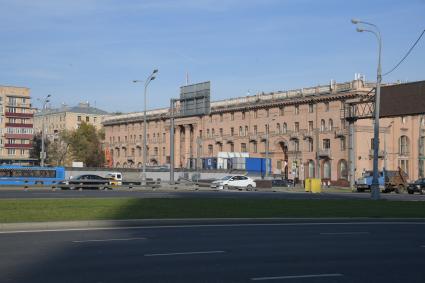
(209, 225)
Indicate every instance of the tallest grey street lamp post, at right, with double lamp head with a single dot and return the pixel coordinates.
(375, 181)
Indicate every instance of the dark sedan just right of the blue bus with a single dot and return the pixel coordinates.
(86, 181)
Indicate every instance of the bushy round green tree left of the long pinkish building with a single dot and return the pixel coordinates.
(85, 144)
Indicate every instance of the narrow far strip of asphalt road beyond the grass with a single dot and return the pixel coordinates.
(159, 193)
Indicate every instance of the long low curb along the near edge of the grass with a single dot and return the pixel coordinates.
(87, 224)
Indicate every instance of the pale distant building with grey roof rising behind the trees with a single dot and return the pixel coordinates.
(67, 118)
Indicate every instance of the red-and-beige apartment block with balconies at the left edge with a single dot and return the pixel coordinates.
(16, 125)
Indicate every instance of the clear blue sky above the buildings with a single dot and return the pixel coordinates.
(92, 50)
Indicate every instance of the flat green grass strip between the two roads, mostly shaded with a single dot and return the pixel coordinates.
(38, 210)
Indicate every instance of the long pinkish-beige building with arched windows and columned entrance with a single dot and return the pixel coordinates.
(305, 130)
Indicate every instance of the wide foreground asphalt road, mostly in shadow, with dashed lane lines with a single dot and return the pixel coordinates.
(275, 252)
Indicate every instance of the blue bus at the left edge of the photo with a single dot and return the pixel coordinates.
(22, 175)
